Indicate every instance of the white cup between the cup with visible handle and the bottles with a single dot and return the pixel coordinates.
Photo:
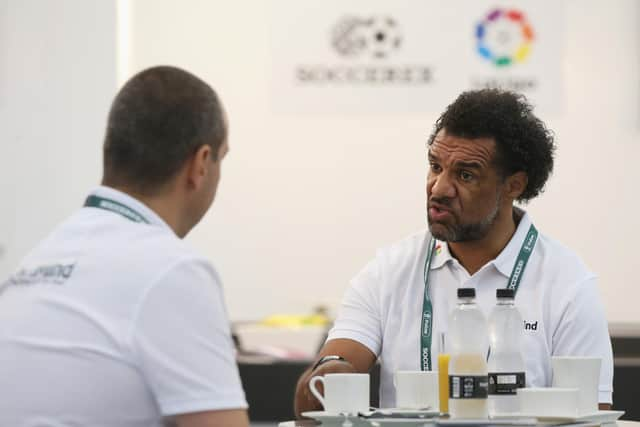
(416, 389)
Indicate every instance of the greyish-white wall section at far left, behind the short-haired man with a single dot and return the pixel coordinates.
(57, 75)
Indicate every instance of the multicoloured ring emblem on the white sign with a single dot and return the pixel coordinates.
(504, 37)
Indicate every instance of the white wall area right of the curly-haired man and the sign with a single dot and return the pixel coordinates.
(592, 200)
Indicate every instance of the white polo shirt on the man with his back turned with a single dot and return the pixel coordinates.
(111, 322)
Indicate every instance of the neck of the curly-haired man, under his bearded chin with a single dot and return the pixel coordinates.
(473, 255)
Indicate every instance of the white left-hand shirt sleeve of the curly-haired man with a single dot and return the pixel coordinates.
(359, 317)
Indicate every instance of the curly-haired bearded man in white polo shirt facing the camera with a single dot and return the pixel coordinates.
(487, 151)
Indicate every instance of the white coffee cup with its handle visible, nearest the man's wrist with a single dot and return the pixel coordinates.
(343, 393)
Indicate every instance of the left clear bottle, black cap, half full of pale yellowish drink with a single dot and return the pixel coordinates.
(468, 344)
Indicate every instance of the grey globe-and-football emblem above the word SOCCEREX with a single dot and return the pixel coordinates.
(376, 36)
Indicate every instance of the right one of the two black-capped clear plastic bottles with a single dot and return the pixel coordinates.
(506, 364)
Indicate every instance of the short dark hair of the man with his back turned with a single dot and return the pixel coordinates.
(159, 118)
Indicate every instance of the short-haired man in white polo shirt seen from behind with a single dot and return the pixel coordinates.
(112, 320)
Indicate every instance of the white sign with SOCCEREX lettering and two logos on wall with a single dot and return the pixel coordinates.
(368, 56)
